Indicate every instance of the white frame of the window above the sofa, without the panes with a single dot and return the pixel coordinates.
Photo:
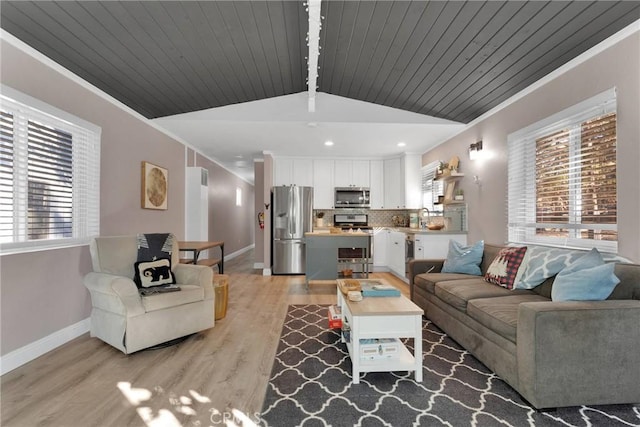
(521, 191)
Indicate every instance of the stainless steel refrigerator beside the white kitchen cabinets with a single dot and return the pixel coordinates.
(292, 213)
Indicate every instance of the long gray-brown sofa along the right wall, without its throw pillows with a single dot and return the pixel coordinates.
(555, 354)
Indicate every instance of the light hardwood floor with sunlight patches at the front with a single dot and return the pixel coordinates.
(217, 375)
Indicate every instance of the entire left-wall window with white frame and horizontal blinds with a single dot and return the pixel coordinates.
(49, 176)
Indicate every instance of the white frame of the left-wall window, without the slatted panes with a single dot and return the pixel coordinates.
(86, 167)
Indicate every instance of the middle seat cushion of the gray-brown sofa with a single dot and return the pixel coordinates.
(458, 293)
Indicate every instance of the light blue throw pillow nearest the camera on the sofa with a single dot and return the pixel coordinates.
(586, 279)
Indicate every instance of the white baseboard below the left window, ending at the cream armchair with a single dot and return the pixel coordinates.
(29, 352)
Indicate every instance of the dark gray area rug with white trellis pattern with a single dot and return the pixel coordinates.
(311, 385)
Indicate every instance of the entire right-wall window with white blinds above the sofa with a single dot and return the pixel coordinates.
(562, 178)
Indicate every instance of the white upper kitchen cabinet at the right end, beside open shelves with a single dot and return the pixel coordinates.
(402, 182)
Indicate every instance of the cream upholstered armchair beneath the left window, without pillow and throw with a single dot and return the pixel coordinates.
(130, 322)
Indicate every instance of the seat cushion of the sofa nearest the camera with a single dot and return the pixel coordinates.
(500, 314)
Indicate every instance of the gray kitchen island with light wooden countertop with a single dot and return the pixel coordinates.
(321, 253)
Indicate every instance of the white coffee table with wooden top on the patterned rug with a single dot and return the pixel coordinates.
(383, 317)
